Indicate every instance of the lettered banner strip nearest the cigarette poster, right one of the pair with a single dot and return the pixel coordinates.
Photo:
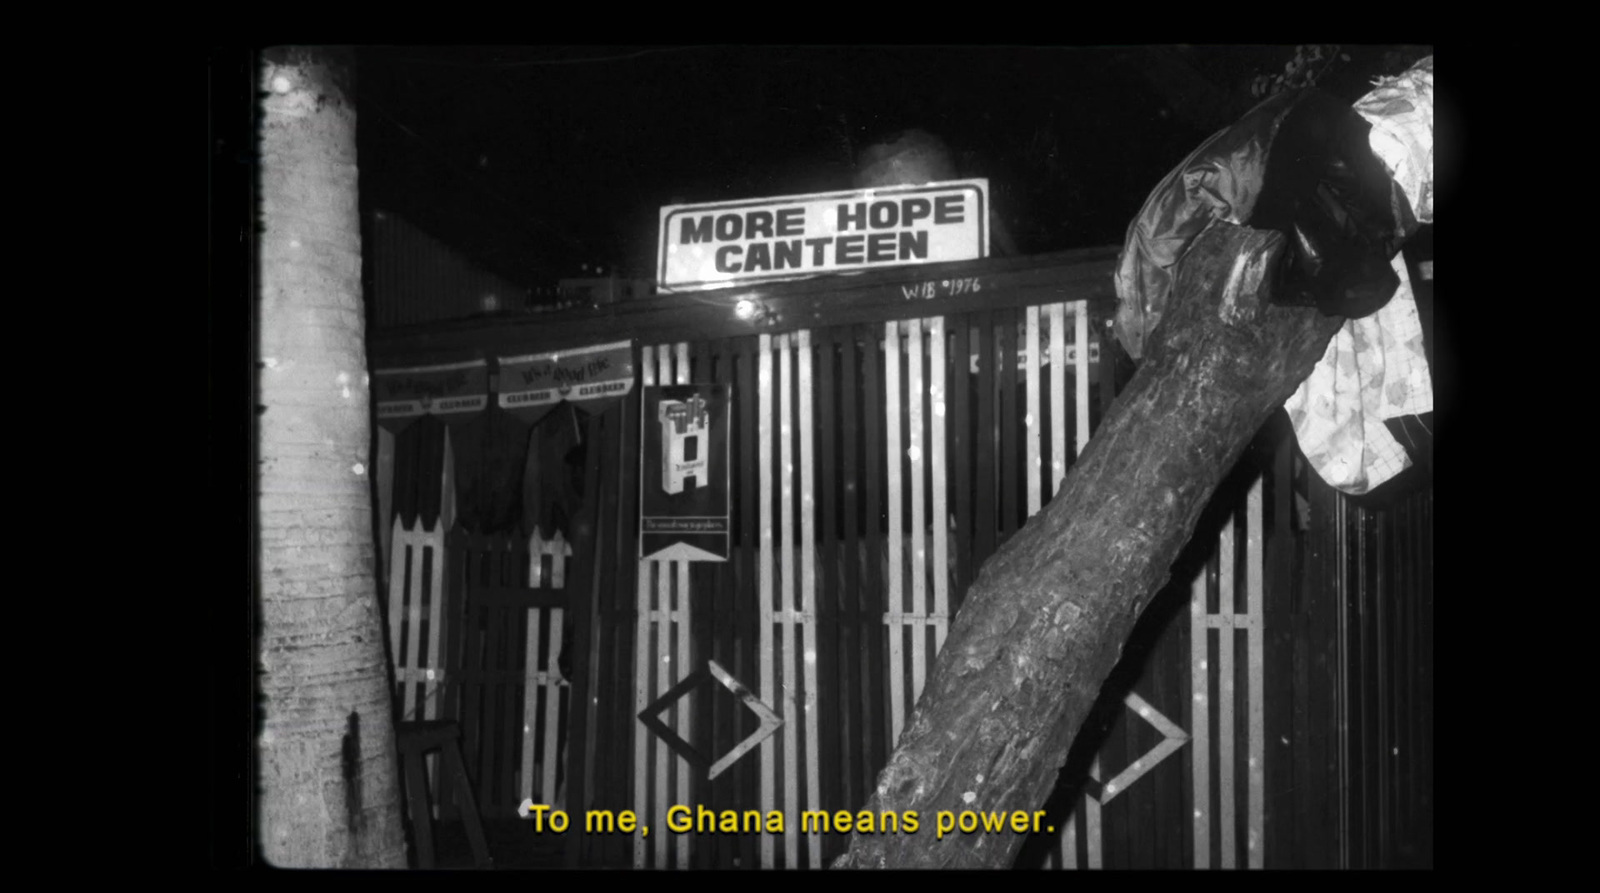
(596, 377)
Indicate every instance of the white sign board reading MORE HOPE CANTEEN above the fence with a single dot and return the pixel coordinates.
(722, 244)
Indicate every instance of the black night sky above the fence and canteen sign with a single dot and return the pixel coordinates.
(537, 161)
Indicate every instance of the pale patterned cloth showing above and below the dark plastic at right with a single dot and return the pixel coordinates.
(1375, 367)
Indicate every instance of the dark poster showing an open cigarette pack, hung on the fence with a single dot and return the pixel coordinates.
(684, 476)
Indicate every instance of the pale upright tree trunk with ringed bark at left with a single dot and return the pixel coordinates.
(327, 755)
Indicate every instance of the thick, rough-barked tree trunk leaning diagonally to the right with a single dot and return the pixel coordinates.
(1046, 622)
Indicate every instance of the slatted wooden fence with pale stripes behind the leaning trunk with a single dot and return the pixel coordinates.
(874, 468)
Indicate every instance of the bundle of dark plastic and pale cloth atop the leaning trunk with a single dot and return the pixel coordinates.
(1346, 186)
